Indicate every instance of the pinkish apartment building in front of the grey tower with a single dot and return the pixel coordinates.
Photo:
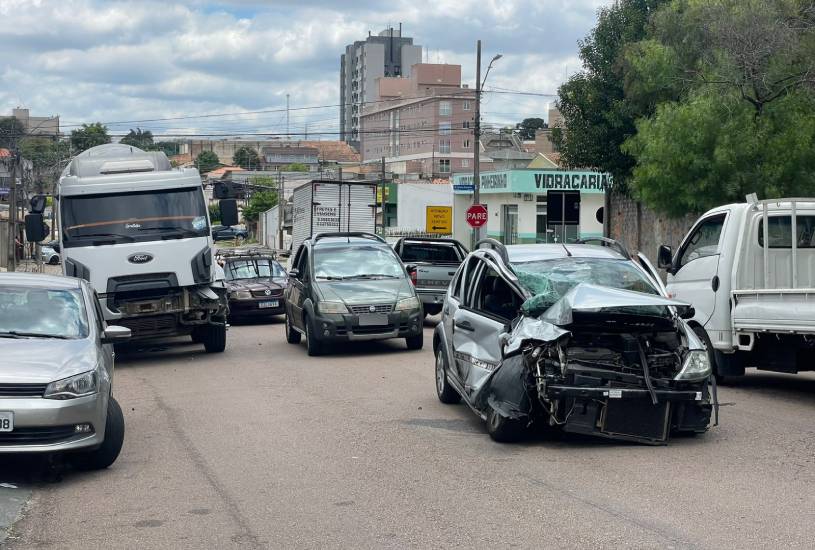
(424, 125)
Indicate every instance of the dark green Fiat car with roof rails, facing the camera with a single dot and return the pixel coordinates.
(350, 286)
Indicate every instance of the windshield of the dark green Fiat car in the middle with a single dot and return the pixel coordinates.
(356, 262)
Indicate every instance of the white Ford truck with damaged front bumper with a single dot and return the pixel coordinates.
(138, 230)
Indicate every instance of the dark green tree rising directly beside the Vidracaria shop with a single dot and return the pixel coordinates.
(597, 116)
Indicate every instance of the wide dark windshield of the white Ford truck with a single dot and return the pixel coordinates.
(133, 217)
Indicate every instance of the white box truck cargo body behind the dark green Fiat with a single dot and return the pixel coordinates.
(325, 206)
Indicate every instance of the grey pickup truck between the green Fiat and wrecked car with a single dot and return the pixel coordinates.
(431, 264)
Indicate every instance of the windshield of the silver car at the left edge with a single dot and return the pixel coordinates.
(43, 312)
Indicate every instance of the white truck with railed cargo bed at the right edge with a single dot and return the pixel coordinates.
(749, 272)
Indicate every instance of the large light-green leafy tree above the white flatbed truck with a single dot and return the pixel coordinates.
(740, 114)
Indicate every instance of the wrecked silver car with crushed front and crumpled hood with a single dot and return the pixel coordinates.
(577, 337)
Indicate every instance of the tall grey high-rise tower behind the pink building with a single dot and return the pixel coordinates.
(387, 54)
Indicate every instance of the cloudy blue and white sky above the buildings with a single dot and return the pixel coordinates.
(128, 61)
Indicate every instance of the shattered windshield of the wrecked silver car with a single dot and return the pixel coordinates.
(549, 280)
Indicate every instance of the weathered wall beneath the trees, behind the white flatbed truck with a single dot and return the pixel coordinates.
(643, 230)
